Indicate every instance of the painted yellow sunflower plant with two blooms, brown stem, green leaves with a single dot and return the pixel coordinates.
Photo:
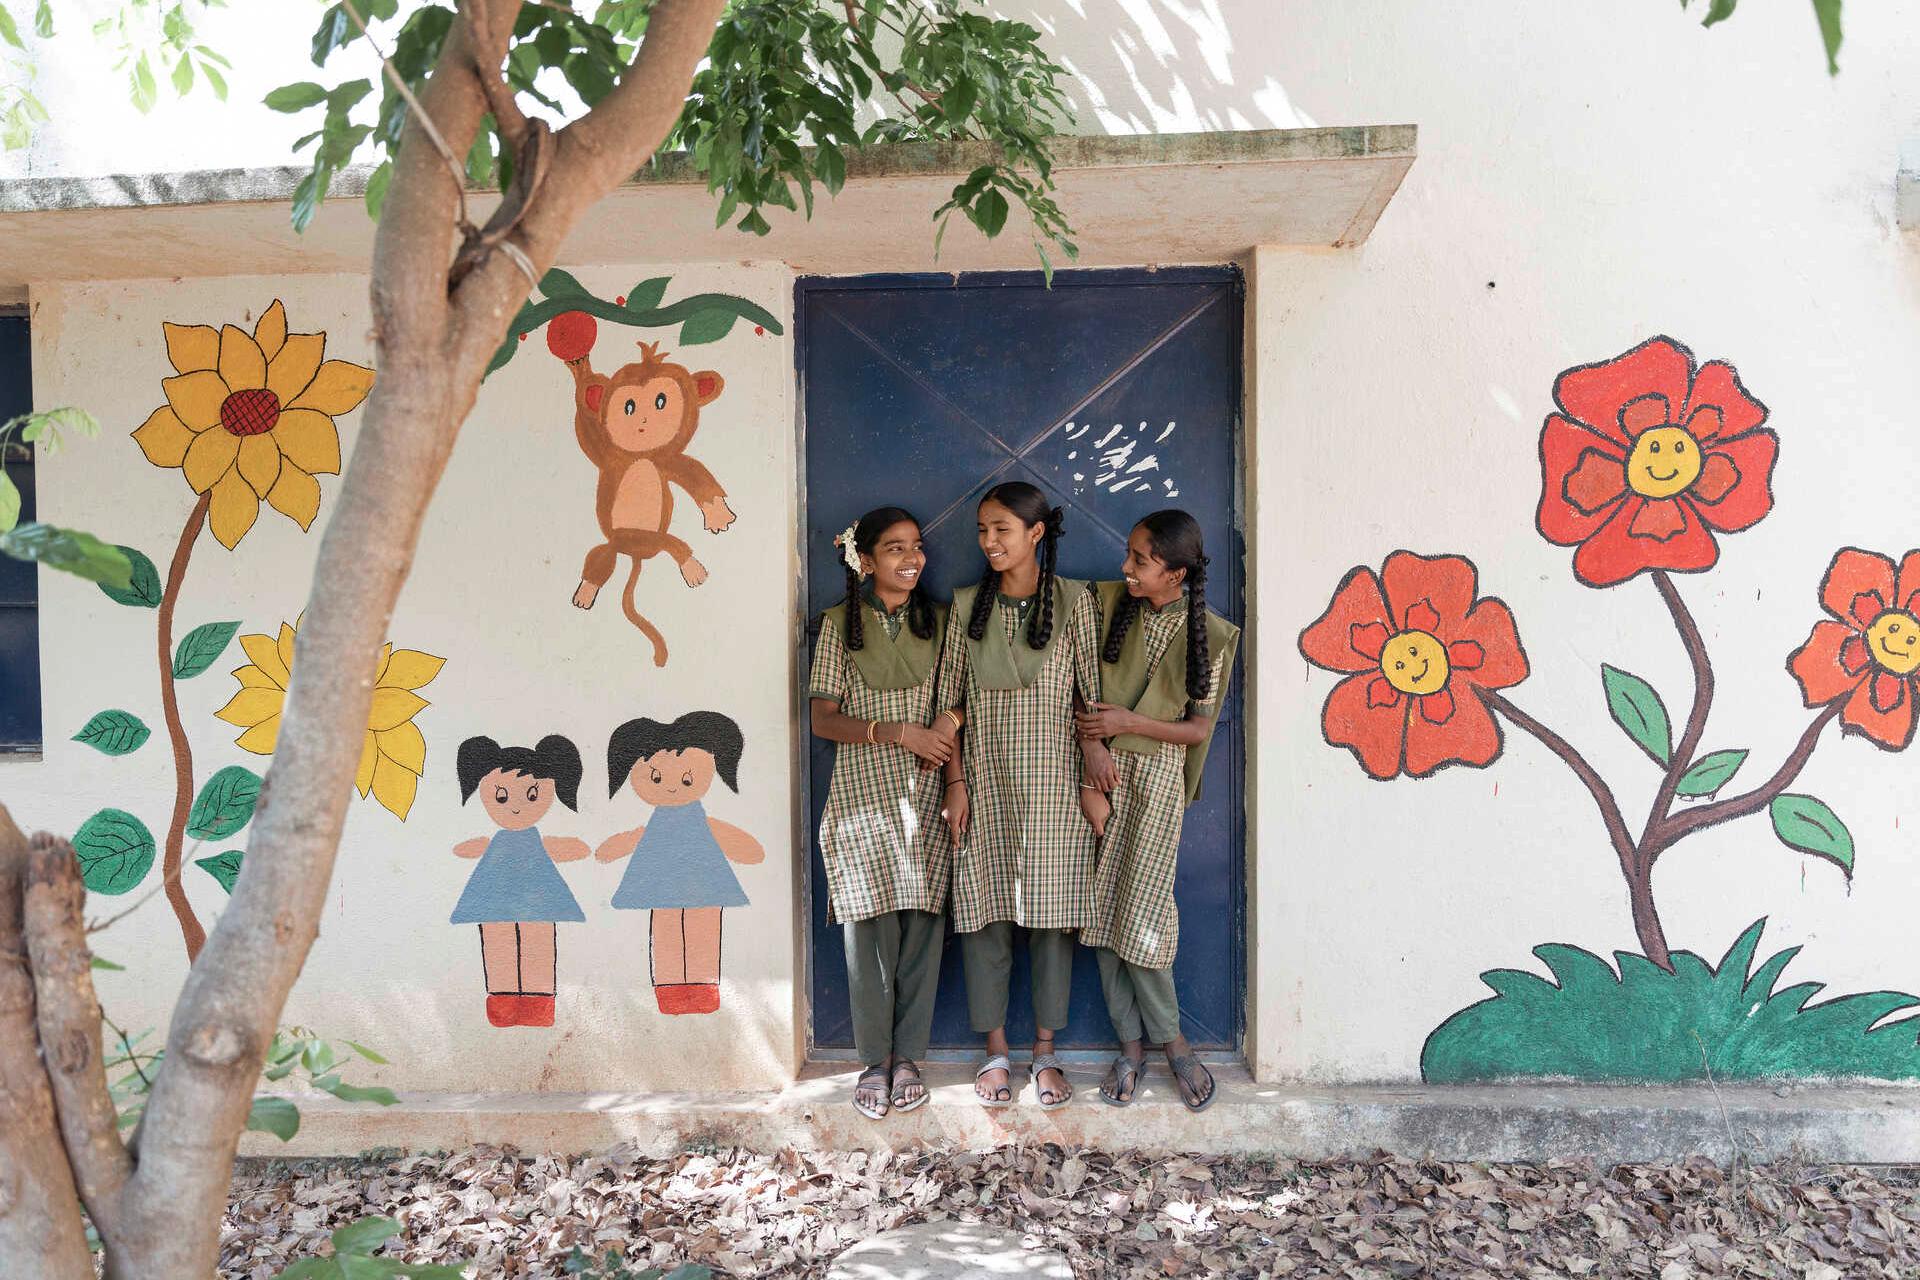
(249, 417)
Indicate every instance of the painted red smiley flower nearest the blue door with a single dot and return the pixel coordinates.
(1418, 650)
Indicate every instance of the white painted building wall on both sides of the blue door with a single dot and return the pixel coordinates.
(1589, 178)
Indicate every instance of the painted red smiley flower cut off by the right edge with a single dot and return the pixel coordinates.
(1871, 652)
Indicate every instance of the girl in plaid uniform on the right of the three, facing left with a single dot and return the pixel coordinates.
(1163, 675)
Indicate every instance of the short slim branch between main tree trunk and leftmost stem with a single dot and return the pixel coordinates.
(68, 1016)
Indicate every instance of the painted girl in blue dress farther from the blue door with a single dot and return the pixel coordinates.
(516, 895)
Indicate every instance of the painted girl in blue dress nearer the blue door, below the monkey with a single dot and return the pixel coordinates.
(679, 868)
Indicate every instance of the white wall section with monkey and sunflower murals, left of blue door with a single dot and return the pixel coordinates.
(491, 592)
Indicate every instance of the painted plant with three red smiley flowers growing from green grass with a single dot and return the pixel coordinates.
(1644, 462)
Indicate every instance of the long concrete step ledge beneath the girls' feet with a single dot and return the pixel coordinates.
(1464, 1124)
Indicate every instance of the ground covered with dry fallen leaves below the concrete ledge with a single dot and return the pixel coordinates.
(1115, 1216)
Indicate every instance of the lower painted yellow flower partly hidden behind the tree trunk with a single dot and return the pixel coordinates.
(395, 749)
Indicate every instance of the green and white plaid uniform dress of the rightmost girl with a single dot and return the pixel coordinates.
(1134, 909)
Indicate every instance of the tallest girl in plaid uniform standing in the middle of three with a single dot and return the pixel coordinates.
(1013, 794)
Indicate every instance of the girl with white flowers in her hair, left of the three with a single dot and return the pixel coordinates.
(882, 840)
